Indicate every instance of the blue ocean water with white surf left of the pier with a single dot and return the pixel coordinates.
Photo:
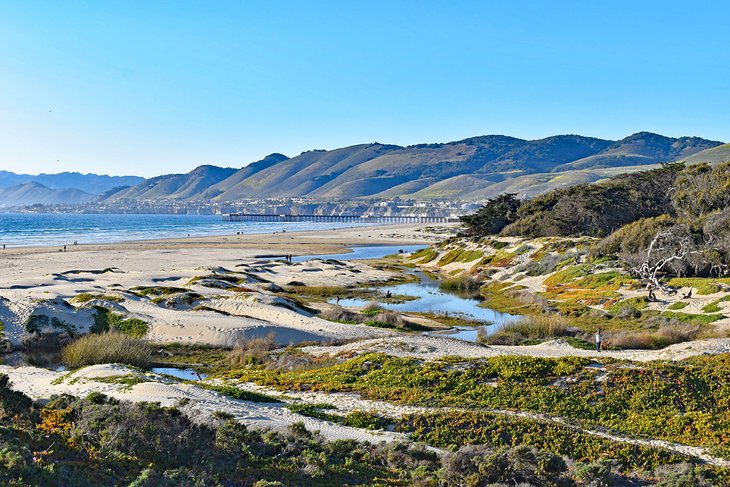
(32, 229)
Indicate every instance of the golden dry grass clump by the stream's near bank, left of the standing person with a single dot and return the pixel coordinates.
(532, 327)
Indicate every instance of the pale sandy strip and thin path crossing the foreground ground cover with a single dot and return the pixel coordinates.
(42, 384)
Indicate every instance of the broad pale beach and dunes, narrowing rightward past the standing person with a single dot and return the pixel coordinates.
(207, 309)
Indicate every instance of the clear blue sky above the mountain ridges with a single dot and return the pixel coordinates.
(151, 87)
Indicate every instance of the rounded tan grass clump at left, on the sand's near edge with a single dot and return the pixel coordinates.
(106, 348)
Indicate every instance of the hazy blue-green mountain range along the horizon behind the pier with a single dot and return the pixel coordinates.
(471, 169)
